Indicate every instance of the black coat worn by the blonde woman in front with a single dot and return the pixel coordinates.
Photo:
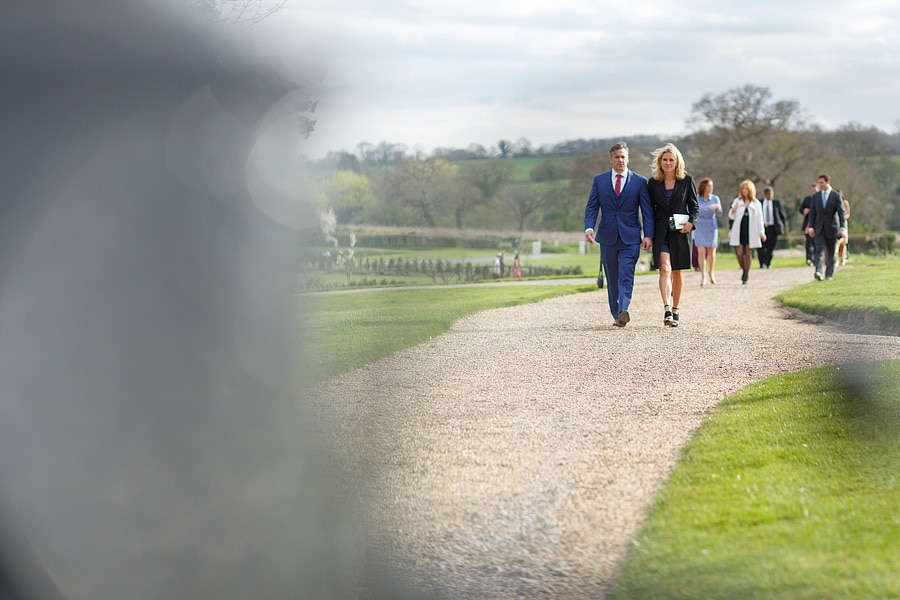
(684, 201)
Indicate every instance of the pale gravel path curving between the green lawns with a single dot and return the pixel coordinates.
(516, 455)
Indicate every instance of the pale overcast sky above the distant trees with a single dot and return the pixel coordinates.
(449, 73)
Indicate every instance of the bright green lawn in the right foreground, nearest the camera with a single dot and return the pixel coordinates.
(789, 490)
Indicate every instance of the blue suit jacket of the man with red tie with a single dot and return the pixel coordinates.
(619, 218)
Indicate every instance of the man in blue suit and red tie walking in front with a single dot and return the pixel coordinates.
(616, 196)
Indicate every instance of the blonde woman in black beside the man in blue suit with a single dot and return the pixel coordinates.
(674, 198)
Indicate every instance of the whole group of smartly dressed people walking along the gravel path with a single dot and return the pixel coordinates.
(626, 213)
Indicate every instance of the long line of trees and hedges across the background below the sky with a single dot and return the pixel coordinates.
(735, 135)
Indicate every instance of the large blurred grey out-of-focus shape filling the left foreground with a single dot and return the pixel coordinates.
(151, 444)
